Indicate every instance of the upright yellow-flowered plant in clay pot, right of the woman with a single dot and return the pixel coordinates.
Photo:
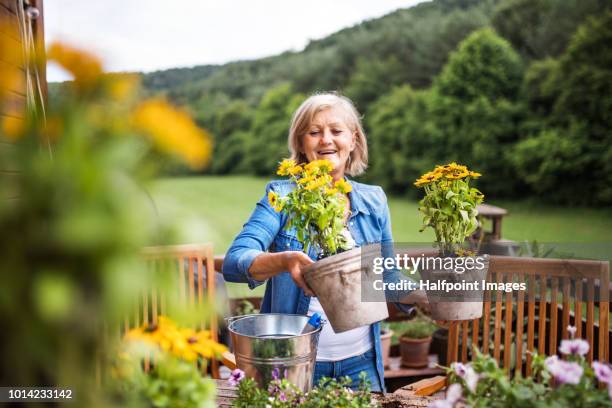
(455, 277)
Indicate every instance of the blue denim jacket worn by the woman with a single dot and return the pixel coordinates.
(369, 222)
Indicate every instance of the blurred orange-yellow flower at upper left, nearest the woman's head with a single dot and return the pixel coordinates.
(173, 131)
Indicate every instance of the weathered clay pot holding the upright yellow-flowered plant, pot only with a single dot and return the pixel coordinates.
(457, 304)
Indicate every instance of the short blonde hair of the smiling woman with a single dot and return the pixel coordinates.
(303, 116)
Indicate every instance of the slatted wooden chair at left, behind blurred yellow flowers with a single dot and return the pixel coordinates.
(193, 268)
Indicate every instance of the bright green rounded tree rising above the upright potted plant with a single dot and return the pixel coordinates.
(476, 108)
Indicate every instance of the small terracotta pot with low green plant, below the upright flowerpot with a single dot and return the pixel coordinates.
(415, 342)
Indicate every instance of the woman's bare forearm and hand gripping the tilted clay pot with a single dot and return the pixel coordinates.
(267, 265)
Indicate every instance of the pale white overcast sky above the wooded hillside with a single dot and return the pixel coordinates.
(149, 35)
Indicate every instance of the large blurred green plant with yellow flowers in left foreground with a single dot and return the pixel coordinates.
(74, 218)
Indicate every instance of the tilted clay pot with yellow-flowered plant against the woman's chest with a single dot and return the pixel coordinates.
(315, 210)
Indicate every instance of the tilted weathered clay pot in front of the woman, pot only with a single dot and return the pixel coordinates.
(337, 281)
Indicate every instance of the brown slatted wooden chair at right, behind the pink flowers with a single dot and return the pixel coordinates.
(559, 292)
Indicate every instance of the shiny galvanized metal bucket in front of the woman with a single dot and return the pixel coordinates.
(270, 345)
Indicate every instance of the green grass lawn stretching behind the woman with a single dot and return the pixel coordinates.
(213, 209)
